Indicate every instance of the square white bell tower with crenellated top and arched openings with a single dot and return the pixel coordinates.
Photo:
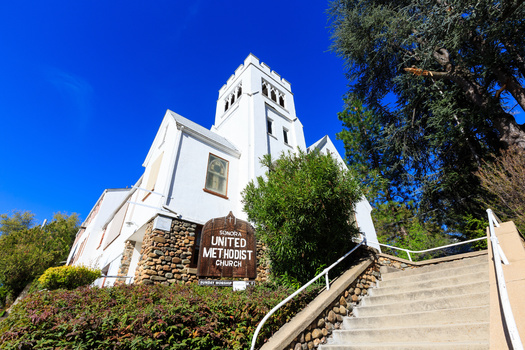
(256, 112)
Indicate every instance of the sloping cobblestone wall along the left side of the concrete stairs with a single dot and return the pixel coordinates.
(318, 331)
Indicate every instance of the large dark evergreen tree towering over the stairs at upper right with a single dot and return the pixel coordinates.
(455, 71)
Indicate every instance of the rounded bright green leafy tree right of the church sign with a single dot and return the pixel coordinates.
(303, 210)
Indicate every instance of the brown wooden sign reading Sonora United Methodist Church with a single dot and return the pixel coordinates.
(228, 249)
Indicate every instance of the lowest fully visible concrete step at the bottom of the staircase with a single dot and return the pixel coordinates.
(434, 333)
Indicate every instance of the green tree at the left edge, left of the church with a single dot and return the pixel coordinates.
(27, 253)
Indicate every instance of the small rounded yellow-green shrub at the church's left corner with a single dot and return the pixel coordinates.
(67, 277)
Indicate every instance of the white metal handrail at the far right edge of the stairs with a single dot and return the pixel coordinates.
(499, 256)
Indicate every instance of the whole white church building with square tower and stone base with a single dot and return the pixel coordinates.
(192, 174)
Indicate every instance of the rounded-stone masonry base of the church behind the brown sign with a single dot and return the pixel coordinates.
(166, 256)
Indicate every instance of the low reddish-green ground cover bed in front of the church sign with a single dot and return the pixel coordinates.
(146, 317)
